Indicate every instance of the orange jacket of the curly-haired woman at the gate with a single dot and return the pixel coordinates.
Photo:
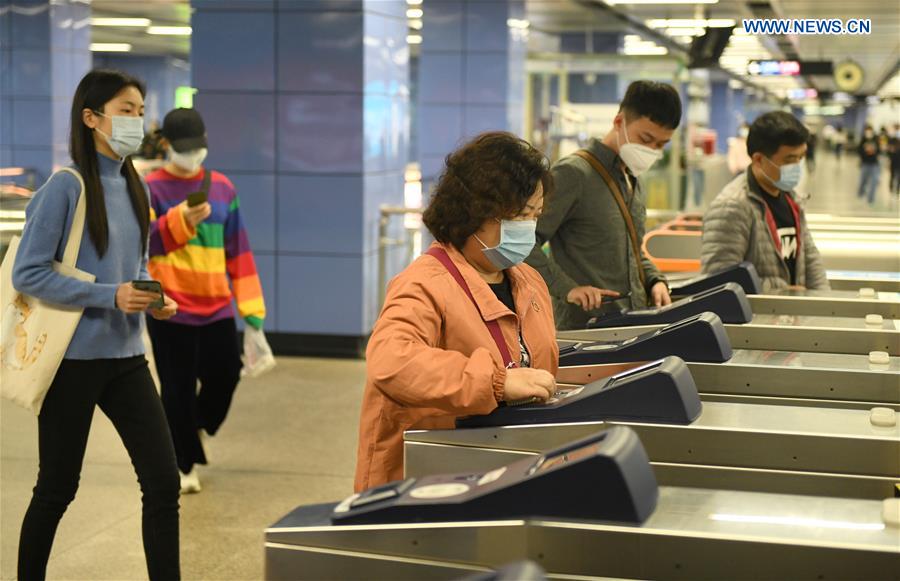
(431, 358)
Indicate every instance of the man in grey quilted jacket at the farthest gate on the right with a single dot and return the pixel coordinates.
(755, 218)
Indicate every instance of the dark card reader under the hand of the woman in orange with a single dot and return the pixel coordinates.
(662, 392)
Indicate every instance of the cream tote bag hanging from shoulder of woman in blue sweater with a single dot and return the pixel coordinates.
(34, 335)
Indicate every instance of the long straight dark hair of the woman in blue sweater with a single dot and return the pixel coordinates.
(97, 88)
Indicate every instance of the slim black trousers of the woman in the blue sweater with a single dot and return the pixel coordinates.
(124, 391)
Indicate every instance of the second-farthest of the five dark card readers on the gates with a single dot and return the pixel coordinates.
(728, 301)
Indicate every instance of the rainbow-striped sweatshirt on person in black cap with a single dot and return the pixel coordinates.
(195, 265)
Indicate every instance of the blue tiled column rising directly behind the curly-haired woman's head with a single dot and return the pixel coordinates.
(472, 75)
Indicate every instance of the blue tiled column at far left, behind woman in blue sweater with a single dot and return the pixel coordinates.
(44, 52)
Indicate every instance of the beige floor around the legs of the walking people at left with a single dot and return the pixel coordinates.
(290, 440)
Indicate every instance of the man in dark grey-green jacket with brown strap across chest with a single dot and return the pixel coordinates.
(592, 251)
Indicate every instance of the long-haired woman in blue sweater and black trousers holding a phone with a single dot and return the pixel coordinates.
(104, 365)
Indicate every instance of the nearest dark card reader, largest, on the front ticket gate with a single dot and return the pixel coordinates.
(606, 477)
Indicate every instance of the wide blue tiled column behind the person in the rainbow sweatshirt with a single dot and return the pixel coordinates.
(306, 103)
